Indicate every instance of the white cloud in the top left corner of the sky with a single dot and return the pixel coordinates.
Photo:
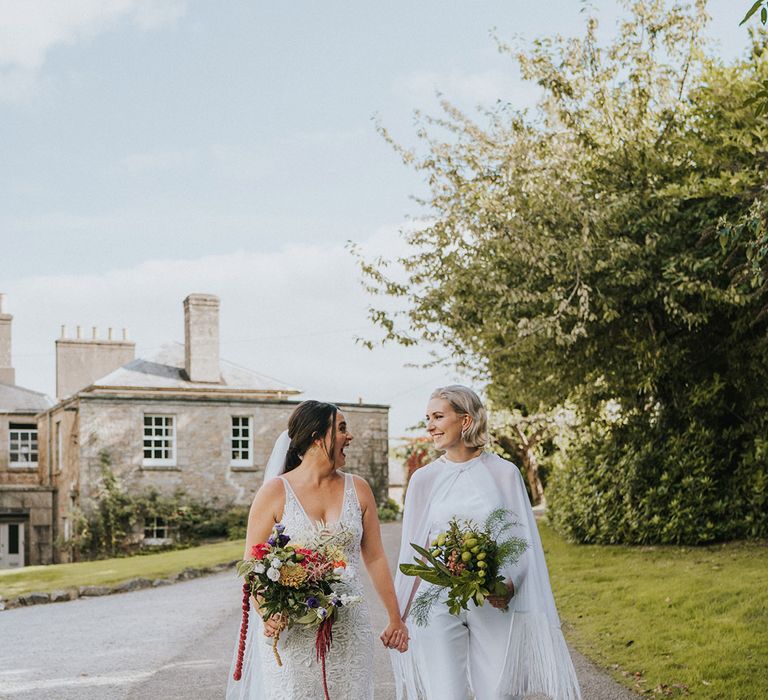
(29, 29)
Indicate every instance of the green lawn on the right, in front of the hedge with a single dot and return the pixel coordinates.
(672, 621)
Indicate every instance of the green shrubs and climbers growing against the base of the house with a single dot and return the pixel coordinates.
(113, 527)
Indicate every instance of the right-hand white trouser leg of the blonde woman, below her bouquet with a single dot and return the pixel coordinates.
(488, 631)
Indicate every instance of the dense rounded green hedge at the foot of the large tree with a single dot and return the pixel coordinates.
(640, 484)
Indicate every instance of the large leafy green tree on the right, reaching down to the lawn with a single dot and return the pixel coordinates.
(608, 249)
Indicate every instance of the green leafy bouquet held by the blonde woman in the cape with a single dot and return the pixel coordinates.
(467, 560)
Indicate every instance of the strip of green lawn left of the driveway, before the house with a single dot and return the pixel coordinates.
(108, 572)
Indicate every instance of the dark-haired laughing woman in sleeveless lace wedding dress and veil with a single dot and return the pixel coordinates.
(304, 490)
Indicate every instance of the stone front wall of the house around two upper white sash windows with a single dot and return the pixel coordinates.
(114, 427)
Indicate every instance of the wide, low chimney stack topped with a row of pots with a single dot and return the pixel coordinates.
(81, 361)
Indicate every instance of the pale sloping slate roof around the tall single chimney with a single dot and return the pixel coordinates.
(164, 369)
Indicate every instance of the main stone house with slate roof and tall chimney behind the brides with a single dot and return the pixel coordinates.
(180, 418)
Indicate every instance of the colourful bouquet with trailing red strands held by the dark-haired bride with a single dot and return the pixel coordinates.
(301, 582)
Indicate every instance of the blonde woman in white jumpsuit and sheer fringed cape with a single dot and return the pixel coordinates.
(512, 646)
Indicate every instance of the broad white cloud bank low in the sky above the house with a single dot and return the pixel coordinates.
(292, 314)
